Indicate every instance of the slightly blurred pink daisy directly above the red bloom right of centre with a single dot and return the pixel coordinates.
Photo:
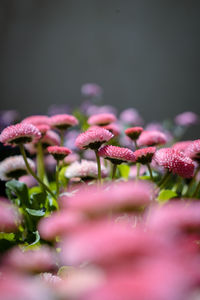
(151, 138)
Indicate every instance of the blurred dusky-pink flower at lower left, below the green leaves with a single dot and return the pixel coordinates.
(37, 260)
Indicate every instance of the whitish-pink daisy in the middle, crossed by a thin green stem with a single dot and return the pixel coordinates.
(85, 170)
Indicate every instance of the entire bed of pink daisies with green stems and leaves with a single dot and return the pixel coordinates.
(94, 206)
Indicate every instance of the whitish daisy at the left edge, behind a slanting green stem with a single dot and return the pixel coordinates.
(14, 167)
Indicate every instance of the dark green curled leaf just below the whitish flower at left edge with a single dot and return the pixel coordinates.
(19, 189)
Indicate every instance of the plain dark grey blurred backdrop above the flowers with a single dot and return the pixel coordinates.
(144, 53)
